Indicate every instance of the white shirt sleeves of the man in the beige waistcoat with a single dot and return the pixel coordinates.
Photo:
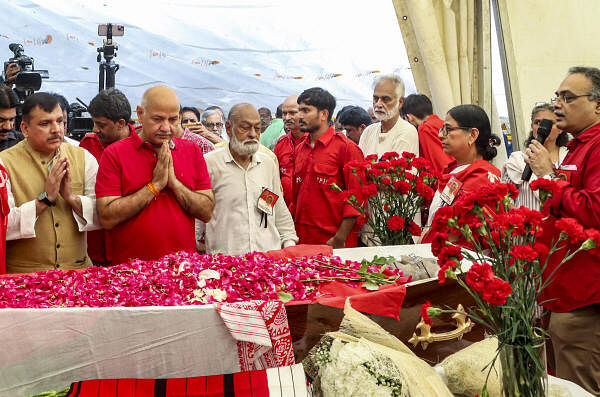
(21, 220)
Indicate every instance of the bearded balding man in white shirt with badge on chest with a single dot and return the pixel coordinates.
(250, 213)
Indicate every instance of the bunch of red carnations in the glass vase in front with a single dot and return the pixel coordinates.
(495, 246)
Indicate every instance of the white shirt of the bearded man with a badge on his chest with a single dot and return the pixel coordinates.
(237, 226)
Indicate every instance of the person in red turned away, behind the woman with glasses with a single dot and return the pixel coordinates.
(418, 111)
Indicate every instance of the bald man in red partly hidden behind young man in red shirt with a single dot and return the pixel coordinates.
(286, 145)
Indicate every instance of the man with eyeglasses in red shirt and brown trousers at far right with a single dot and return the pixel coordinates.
(574, 295)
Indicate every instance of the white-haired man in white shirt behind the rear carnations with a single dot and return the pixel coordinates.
(391, 133)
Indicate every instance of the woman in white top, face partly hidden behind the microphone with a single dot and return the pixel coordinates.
(556, 143)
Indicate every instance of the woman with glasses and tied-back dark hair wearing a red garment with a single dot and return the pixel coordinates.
(466, 136)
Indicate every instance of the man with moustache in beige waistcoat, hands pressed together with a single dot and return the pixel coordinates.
(50, 193)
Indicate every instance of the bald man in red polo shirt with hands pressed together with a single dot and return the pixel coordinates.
(152, 185)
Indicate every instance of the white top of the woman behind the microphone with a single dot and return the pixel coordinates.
(512, 172)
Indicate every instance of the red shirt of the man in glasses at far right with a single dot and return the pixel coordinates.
(577, 282)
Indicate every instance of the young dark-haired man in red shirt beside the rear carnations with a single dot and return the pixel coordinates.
(321, 215)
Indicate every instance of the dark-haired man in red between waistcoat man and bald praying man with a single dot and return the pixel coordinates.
(111, 112)
